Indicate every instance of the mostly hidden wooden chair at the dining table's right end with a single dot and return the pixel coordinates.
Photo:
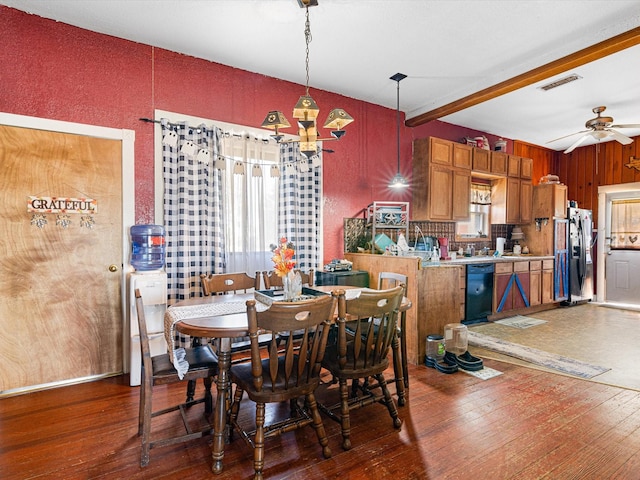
(389, 280)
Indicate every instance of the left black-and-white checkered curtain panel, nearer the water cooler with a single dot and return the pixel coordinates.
(193, 207)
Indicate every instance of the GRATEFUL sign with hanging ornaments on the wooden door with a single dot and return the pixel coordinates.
(63, 208)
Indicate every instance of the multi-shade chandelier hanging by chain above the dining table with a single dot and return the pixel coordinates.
(306, 110)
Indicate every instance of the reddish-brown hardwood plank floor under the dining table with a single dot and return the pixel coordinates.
(524, 424)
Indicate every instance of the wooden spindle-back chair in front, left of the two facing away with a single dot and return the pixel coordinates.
(285, 374)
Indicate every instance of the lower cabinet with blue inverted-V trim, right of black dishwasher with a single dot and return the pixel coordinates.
(511, 286)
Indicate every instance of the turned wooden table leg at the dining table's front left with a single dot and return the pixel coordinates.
(220, 412)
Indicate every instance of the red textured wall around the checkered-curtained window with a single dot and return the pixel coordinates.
(53, 70)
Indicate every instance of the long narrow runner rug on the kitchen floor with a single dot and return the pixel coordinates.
(538, 357)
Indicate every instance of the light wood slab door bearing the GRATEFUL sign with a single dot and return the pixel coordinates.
(60, 274)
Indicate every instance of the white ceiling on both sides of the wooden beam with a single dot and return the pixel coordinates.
(448, 48)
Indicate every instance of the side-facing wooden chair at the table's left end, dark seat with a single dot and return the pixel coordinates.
(159, 370)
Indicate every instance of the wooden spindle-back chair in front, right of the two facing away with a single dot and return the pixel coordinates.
(361, 356)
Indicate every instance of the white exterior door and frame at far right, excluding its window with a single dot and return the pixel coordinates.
(618, 280)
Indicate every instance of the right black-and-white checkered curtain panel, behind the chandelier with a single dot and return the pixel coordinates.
(299, 204)
